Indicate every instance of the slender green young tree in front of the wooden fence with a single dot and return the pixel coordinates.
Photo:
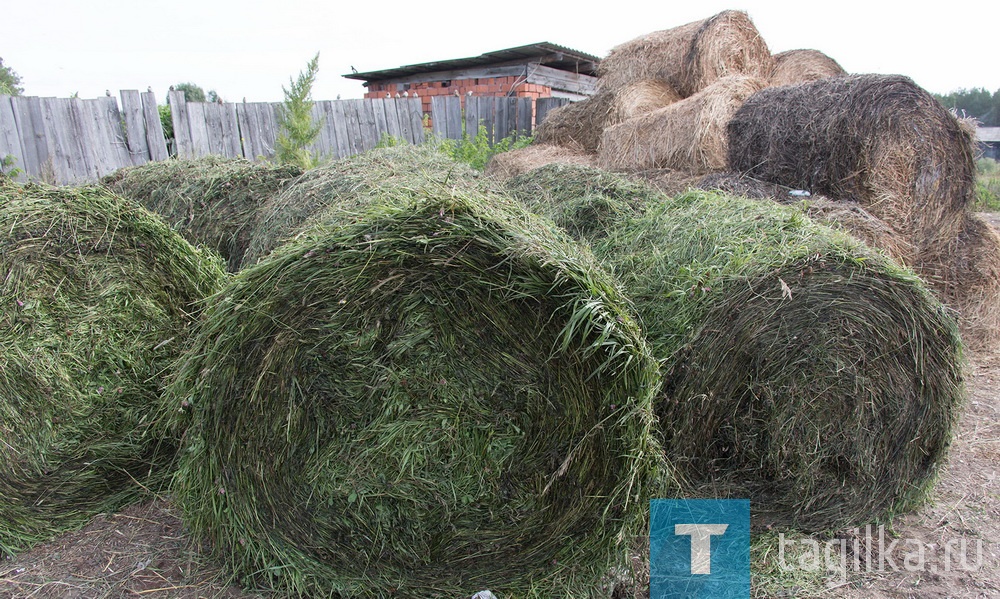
(297, 129)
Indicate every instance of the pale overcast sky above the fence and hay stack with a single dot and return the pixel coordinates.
(250, 49)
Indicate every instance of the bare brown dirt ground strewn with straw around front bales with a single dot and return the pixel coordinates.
(949, 548)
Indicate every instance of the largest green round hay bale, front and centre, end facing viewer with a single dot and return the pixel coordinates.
(426, 393)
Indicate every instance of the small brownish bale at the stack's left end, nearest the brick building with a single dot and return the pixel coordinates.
(577, 126)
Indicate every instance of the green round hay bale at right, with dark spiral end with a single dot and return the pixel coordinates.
(801, 368)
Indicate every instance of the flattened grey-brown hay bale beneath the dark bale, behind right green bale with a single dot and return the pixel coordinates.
(848, 216)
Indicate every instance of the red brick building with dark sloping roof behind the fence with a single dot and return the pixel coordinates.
(541, 70)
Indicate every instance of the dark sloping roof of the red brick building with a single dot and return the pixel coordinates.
(551, 55)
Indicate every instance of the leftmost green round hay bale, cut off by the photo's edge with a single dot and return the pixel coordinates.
(97, 298)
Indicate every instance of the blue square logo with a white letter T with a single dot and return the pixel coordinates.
(699, 549)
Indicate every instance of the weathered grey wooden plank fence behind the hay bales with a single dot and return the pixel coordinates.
(73, 141)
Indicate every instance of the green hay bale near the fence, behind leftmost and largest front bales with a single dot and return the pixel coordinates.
(211, 201)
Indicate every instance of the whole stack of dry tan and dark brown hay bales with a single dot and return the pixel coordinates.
(706, 104)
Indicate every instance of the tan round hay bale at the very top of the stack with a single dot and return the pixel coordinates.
(690, 57)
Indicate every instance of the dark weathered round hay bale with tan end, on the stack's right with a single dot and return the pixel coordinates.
(878, 140)
